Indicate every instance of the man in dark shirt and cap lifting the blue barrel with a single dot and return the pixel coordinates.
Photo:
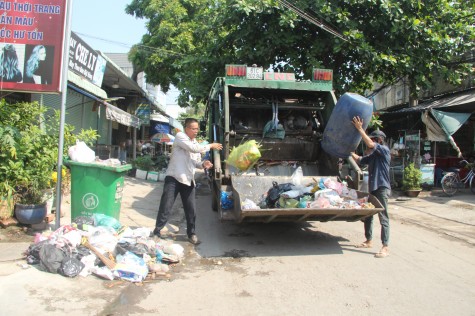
(378, 161)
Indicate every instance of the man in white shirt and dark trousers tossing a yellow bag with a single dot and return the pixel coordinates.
(185, 157)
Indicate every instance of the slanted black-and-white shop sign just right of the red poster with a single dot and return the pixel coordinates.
(85, 61)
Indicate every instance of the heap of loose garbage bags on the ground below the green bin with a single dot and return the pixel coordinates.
(101, 246)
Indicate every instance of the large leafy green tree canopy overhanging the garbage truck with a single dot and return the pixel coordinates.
(189, 41)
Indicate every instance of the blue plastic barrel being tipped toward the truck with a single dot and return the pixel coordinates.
(340, 137)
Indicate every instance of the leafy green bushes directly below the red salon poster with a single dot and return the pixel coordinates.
(29, 150)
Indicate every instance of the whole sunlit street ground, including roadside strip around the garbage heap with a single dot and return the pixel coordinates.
(276, 269)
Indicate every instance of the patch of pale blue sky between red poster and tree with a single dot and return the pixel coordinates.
(104, 25)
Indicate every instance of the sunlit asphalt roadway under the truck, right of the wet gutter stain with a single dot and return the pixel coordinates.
(310, 269)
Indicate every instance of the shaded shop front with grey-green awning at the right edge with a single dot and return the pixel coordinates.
(434, 135)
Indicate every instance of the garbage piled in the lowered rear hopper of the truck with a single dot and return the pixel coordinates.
(320, 194)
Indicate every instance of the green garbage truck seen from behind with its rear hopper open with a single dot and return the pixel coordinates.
(287, 118)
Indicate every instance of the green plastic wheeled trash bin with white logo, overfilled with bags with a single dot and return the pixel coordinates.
(96, 189)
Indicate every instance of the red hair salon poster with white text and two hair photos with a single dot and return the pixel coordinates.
(31, 42)
